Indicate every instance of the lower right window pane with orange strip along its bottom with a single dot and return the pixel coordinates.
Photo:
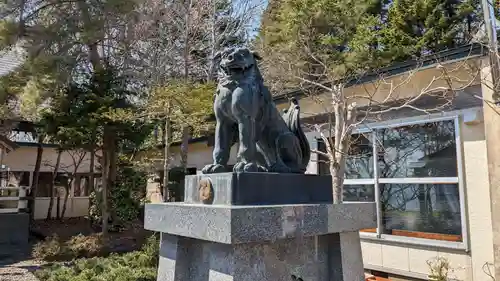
(430, 211)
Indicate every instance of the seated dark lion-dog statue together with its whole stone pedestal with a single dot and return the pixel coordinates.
(265, 220)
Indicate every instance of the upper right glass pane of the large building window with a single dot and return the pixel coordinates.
(421, 150)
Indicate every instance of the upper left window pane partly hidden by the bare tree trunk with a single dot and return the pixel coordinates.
(359, 162)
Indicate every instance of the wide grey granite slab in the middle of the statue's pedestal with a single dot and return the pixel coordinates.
(246, 224)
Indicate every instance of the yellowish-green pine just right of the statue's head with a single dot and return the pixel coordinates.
(345, 33)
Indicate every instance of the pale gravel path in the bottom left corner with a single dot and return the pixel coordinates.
(18, 271)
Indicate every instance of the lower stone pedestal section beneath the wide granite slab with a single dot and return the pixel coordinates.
(332, 257)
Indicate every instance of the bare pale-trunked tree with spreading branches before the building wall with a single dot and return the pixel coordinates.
(348, 108)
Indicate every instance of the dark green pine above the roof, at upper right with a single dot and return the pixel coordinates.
(419, 27)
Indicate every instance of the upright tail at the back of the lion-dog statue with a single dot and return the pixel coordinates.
(292, 120)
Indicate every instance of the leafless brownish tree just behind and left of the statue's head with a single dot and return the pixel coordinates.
(179, 40)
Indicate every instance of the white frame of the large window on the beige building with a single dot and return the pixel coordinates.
(456, 117)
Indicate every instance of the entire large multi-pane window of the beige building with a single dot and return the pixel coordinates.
(415, 172)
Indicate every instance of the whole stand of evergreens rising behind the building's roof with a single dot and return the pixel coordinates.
(357, 36)
